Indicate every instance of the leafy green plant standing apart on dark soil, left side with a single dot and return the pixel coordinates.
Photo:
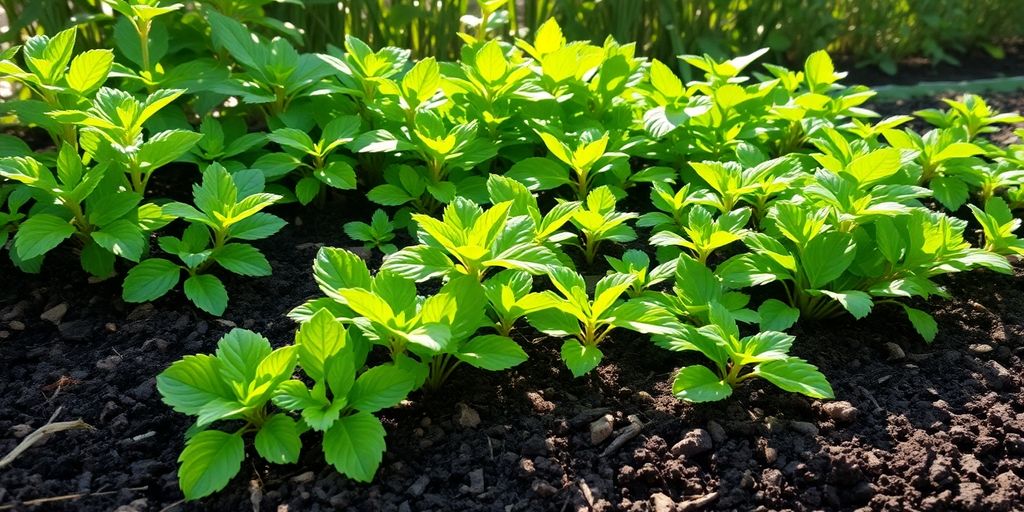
(228, 207)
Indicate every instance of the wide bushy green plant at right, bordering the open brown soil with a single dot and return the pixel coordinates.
(826, 270)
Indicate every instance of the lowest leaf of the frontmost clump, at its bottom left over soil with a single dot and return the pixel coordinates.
(209, 461)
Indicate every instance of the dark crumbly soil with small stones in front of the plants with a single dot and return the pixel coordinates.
(914, 426)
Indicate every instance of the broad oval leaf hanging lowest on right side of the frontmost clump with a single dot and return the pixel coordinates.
(355, 446)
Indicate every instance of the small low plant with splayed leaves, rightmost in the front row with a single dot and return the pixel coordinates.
(739, 360)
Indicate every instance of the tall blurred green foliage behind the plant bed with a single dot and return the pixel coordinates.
(866, 32)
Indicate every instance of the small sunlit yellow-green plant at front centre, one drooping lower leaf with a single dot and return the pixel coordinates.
(572, 314)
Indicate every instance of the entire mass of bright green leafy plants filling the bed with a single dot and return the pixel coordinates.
(775, 198)
